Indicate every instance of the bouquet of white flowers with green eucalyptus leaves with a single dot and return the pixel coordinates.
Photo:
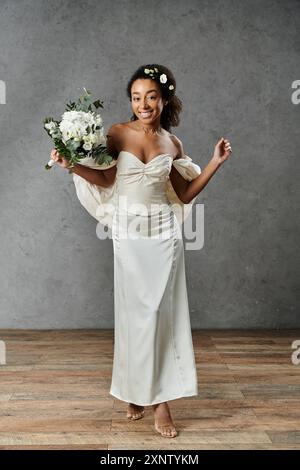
(80, 133)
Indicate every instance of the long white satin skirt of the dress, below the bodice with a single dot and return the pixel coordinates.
(154, 357)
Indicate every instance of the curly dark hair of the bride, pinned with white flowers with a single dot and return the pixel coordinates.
(170, 113)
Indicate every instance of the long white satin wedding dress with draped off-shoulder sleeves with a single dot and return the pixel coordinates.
(153, 350)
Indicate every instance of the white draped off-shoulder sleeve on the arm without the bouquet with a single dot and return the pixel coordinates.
(189, 171)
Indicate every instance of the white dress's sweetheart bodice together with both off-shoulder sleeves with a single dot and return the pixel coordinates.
(140, 183)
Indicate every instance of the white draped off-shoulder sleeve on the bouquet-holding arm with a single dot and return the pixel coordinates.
(99, 201)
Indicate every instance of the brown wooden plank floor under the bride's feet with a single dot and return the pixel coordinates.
(54, 393)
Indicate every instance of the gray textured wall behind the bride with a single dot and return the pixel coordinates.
(234, 63)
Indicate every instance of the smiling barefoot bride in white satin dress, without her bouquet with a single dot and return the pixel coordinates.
(153, 351)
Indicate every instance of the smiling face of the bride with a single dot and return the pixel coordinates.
(146, 100)
